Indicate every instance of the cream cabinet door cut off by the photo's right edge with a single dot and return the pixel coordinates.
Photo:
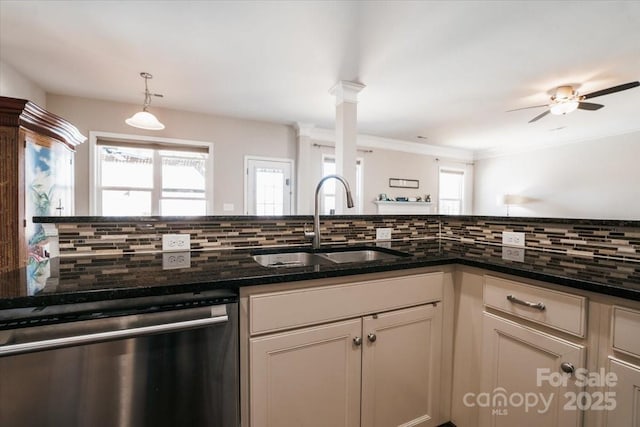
(627, 395)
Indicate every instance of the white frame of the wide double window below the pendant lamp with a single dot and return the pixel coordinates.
(157, 144)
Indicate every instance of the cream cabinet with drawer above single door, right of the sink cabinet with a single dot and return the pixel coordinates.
(528, 373)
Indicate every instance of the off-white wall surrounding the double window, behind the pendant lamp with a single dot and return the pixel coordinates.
(232, 138)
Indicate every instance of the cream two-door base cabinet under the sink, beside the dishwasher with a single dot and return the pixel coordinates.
(360, 354)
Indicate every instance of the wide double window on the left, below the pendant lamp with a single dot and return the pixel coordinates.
(141, 179)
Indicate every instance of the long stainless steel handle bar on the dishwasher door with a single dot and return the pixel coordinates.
(13, 349)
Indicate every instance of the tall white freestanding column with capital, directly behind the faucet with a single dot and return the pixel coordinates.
(346, 94)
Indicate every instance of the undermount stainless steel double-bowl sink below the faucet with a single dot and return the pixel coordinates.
(333, 256)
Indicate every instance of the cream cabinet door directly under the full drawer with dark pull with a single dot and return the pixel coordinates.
(512, 394)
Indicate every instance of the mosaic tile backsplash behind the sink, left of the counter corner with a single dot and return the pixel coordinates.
(140, 236)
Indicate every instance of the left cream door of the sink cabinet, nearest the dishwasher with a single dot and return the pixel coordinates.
(307, 377)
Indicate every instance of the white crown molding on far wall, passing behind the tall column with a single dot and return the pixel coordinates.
(329, 135)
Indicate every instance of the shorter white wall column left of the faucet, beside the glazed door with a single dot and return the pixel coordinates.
(304, 186)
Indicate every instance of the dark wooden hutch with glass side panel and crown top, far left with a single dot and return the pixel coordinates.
(36, 178)
